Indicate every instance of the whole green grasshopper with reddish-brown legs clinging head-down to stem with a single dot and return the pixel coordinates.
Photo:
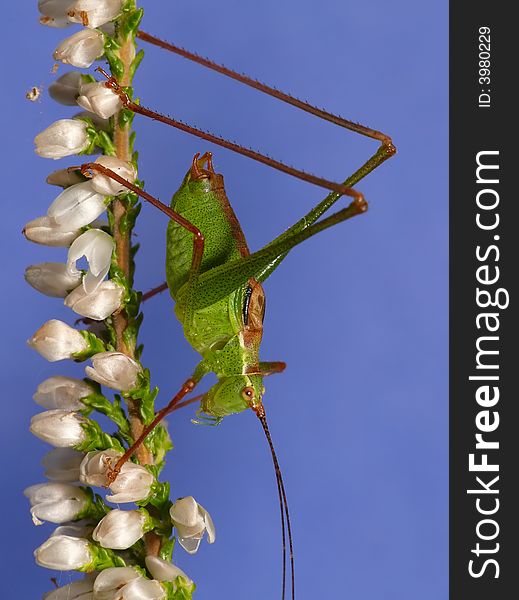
(216, 281)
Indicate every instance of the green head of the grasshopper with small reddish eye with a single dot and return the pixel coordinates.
(233, 394)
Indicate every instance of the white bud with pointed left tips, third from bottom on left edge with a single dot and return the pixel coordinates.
(55, 502)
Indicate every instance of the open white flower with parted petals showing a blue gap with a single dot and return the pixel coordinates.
(97, 247)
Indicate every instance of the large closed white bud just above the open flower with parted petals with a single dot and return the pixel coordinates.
(77, 206)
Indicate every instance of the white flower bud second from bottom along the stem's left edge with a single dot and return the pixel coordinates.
(63, 553)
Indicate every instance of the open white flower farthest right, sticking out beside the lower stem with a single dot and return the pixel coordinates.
(191, 522)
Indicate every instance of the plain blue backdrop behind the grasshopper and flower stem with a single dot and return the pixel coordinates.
(359, 313)
